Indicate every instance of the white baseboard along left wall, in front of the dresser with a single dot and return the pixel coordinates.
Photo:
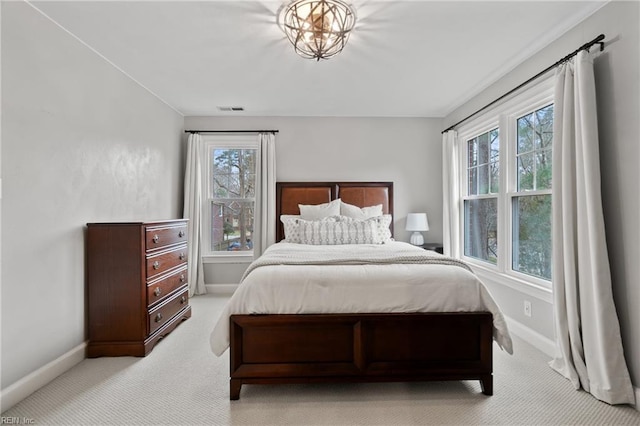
(34, 381)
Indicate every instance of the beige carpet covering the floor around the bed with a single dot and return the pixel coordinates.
(182, 383)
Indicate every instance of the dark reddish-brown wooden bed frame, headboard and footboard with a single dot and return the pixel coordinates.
(390, 347)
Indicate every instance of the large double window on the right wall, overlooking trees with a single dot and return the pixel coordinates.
(506, 187)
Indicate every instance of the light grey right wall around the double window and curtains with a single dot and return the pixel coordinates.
(617, 80)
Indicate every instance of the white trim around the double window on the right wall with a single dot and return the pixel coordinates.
(536, 96)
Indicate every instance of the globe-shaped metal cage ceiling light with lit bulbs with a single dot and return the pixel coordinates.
(318, 29)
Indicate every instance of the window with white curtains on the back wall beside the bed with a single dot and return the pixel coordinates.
(229, 205)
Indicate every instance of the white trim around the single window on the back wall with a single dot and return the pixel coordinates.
(211, 142)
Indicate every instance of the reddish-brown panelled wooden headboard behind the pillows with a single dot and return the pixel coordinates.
(361, 194)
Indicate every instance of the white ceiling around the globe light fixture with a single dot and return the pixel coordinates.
(404, 58)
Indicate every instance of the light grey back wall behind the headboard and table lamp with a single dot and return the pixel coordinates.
(407, 151)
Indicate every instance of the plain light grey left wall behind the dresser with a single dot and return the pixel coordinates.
(81, 142)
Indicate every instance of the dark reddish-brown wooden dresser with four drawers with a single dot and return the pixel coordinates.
(137, 290)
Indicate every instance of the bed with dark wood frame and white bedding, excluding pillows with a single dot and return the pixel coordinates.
(352, 321)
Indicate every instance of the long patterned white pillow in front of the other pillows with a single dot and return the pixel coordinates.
(342, 230)
